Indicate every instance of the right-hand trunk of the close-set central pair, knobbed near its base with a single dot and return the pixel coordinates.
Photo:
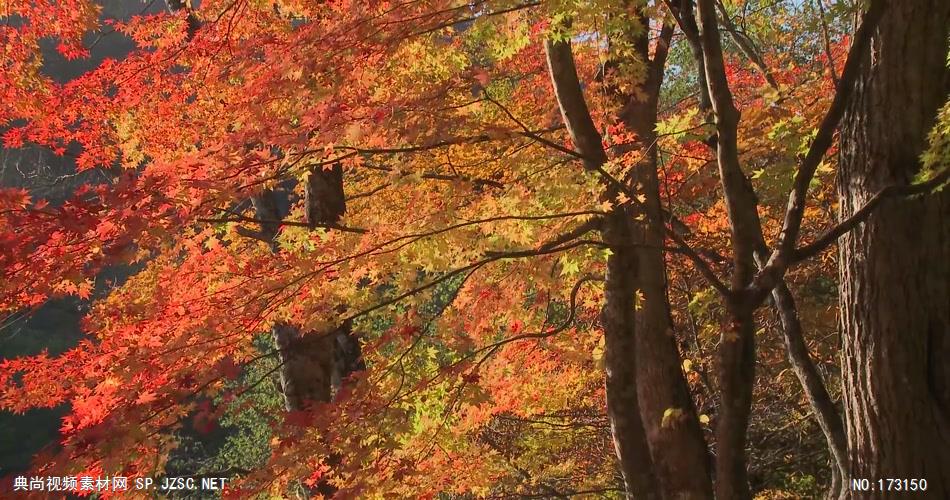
(680, 455)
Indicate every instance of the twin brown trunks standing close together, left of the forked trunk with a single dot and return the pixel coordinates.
(644, 378)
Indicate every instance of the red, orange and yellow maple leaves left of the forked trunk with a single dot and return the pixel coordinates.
(434, 112)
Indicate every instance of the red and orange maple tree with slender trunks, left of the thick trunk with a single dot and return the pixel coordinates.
(482, 236)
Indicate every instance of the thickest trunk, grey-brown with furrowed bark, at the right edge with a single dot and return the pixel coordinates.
(895, 318)
